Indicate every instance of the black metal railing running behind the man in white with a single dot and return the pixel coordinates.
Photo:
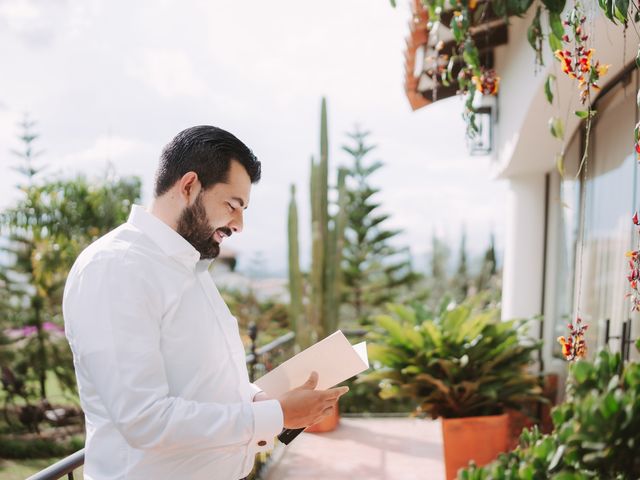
(259, 360)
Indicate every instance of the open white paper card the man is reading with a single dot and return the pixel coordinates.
(334, 358)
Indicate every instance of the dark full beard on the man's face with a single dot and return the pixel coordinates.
(195, 228)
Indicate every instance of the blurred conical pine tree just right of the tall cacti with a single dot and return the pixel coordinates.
(374, 271)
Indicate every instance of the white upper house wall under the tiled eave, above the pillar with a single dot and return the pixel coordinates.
(523, 142)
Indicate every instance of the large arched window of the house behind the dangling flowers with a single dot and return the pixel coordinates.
(594, 277)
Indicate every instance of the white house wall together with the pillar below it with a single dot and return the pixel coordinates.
(525, 151)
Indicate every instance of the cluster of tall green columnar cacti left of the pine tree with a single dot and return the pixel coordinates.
(327, 243)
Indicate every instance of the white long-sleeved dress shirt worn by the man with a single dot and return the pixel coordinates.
(159, 361)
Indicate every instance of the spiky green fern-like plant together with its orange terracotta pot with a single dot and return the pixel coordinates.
(462, 365)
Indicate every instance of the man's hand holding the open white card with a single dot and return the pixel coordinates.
(304, 406)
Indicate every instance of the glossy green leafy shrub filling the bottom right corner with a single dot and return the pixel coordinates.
(596, 434)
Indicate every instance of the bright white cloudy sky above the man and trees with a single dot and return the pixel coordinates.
(111, 82)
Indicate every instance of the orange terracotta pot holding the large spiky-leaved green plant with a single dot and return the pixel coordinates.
(480, 439)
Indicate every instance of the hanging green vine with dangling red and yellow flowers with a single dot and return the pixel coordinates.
(569, 41)
